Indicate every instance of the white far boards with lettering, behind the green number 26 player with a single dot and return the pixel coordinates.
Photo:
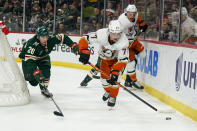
(61, 53)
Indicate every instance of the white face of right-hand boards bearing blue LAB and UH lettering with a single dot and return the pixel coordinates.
(171, 70)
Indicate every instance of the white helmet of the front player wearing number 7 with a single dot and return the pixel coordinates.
(114, 26)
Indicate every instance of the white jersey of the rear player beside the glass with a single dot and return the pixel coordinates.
(127, 26)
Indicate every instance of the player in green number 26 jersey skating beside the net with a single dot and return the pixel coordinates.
(36, 64)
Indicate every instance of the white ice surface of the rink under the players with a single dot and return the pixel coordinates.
(84, 109)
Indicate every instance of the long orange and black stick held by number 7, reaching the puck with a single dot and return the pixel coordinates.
(136, 96)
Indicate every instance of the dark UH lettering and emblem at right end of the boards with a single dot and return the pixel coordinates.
(185, 73)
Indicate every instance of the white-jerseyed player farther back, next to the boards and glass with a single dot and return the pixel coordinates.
(128, 21)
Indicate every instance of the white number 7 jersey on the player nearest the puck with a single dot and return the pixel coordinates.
(107, 51)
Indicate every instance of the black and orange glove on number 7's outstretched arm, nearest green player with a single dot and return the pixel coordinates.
(84, 56)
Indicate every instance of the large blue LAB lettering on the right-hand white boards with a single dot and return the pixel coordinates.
(148, 64)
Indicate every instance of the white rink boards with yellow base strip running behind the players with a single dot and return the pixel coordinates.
(168, 71)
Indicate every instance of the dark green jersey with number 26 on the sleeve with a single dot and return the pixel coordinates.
(34, 50)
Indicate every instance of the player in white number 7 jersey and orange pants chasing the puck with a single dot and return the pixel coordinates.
(114, 53)
